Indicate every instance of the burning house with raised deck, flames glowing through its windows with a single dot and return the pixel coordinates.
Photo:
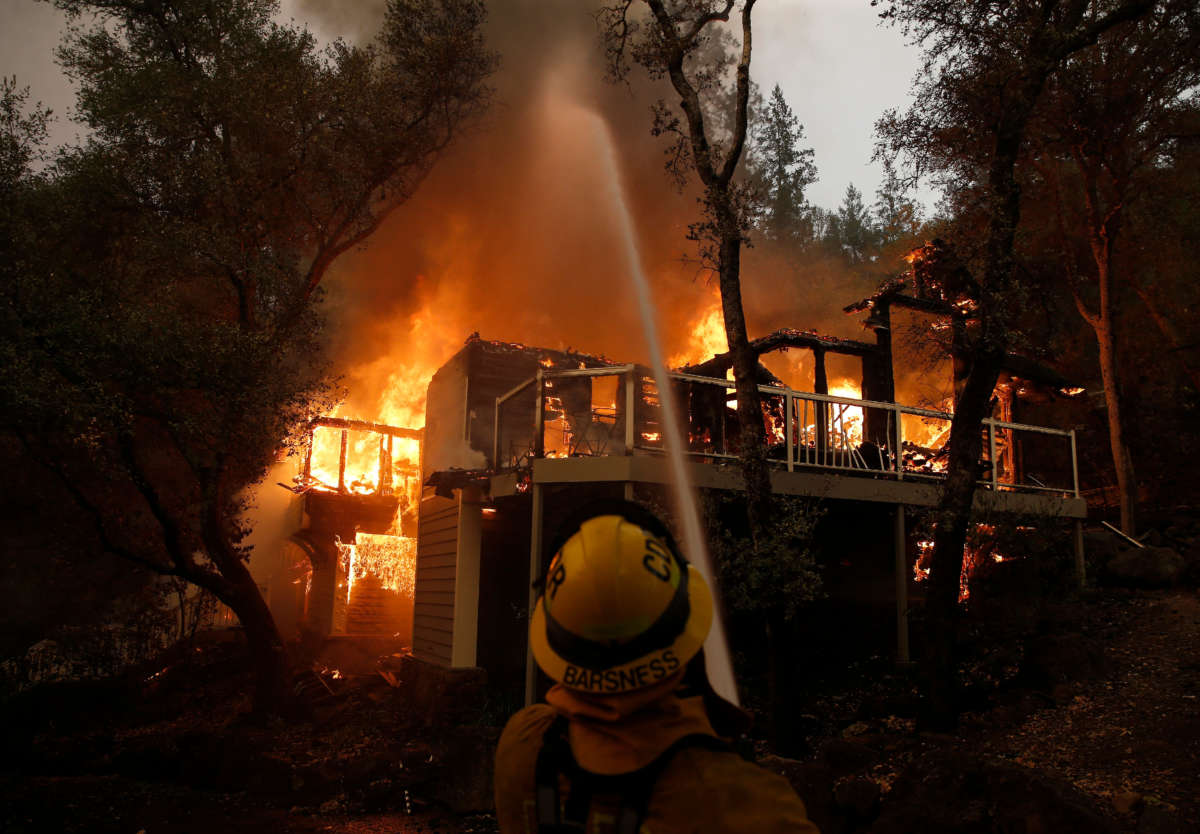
(453, 533)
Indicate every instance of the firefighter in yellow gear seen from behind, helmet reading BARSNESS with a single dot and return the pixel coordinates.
(626, 742)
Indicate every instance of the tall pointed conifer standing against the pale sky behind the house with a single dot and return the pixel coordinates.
(782, 170)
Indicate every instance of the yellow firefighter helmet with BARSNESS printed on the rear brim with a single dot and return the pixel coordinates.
(621, 609)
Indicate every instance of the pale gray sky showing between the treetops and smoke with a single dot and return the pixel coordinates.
(839, 71)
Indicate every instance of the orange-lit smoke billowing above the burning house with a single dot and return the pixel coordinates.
(507, 237)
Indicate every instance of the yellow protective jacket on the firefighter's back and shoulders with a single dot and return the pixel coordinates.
(700, 790)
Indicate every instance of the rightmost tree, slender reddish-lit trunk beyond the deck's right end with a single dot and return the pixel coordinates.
(1105, 124)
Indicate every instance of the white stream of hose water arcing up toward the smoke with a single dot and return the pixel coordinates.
(717, 651)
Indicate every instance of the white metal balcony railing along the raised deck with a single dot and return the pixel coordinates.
(614, 411)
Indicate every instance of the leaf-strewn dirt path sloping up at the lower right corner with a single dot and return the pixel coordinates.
(1133, 740)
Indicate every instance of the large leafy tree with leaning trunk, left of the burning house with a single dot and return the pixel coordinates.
(163, 329)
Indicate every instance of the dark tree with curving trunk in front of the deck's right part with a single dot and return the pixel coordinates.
(987, 65)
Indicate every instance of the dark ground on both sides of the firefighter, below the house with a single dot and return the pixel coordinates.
(1097, 729)
